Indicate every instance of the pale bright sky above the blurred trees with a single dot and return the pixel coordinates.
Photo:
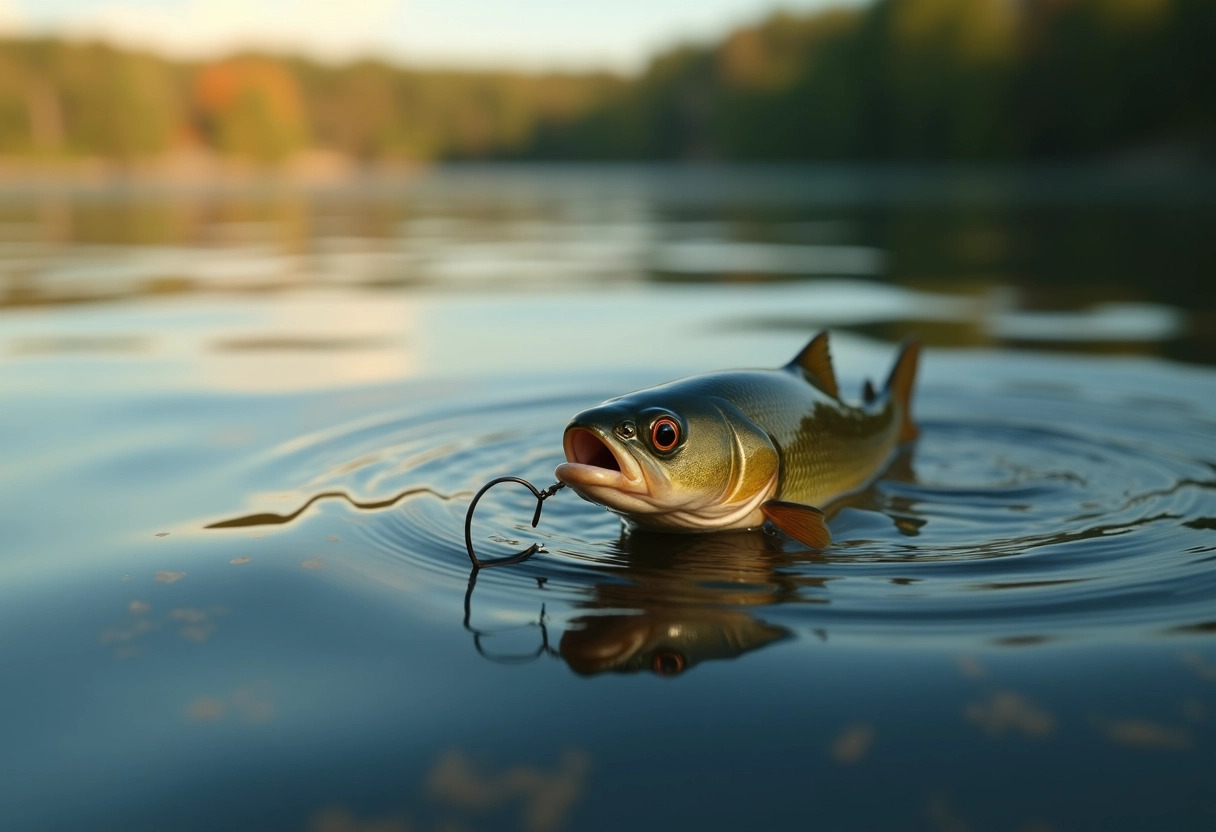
(534, 35)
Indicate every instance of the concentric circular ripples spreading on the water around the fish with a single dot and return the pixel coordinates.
(1022, 515)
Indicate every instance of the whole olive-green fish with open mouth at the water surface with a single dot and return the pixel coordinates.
(739, 449)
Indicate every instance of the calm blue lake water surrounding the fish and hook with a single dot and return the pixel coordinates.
(240, 428)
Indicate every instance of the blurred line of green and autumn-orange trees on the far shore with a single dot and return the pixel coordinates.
(898, 80)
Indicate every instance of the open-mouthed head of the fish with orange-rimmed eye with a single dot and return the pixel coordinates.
(668, 459)
